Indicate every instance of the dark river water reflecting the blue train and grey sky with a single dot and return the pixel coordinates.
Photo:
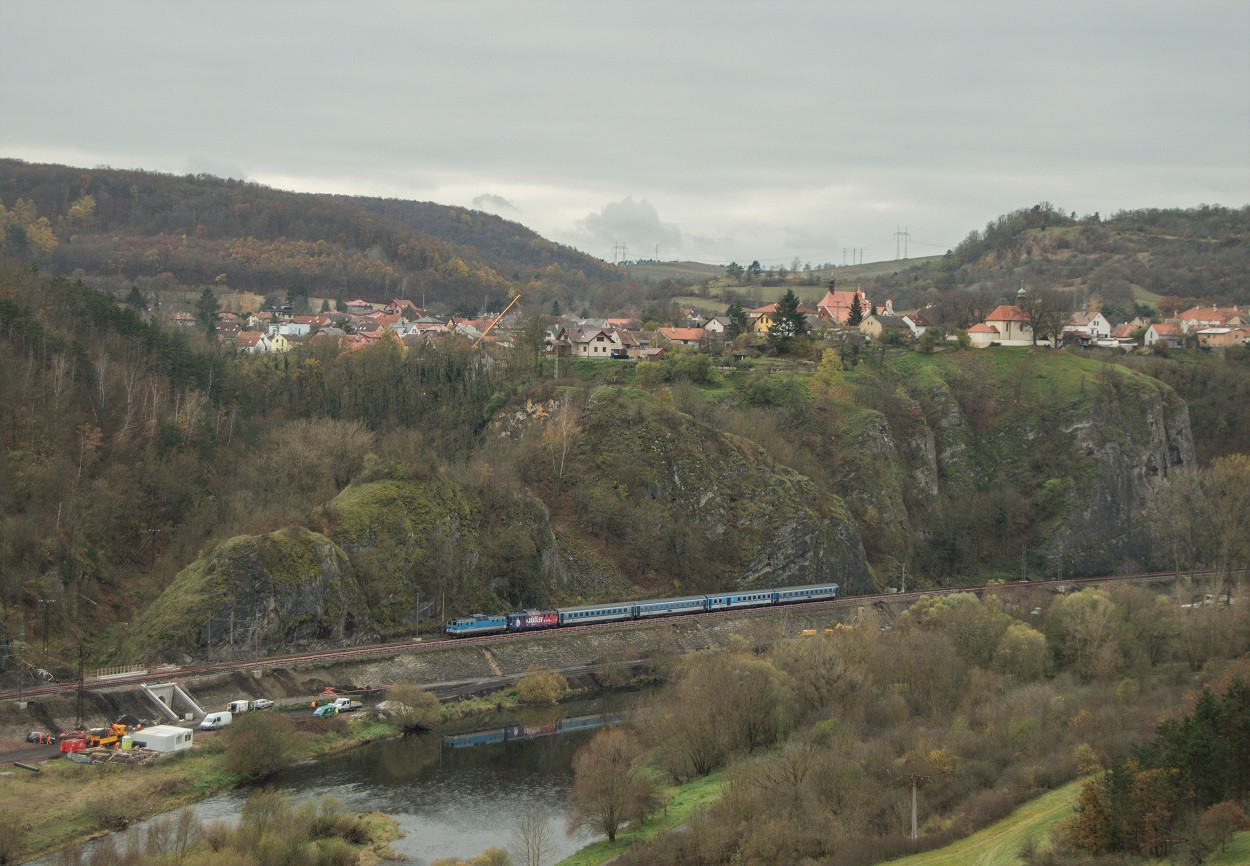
(453, 793)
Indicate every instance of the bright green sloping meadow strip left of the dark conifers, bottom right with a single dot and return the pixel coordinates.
(999, 844)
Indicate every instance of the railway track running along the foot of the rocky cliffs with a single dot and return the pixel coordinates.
(427, 645)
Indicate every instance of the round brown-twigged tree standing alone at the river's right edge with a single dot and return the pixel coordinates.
(609, 787)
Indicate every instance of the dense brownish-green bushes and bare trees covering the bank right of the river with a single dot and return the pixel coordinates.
(951, 698)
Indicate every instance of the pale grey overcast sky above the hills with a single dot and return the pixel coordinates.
(712, 131)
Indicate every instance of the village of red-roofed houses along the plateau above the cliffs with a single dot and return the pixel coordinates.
(839, 316)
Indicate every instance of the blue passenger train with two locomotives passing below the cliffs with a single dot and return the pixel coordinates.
(619, 612)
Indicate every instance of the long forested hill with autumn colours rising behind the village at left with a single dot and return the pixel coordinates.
(164, 233)
